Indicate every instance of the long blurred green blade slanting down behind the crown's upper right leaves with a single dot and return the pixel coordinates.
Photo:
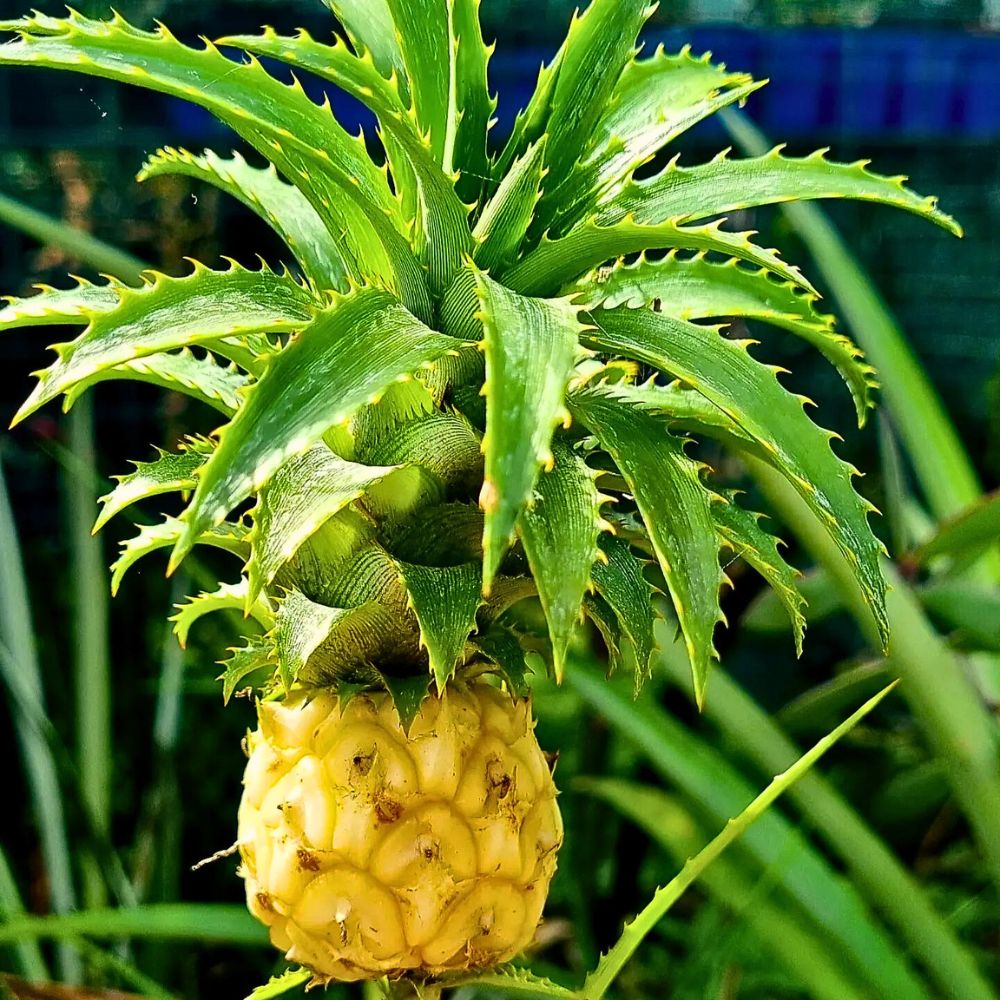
(945, 471)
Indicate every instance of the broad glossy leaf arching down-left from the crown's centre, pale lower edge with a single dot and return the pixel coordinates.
(352, 352)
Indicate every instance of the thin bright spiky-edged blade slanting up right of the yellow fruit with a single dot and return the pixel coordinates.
(614, 961)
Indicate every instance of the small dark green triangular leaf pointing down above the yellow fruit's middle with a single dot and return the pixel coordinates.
(445, 601)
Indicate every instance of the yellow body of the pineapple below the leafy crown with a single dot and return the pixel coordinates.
(369, 851)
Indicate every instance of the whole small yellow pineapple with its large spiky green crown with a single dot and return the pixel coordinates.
(472, 387)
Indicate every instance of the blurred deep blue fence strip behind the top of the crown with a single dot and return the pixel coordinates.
(884, 83)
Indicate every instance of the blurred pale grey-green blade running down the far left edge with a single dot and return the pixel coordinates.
(43, 784)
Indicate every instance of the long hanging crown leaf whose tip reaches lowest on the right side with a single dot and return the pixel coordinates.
(675, 506)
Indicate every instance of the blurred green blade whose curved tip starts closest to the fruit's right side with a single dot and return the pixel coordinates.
(793, 942)
